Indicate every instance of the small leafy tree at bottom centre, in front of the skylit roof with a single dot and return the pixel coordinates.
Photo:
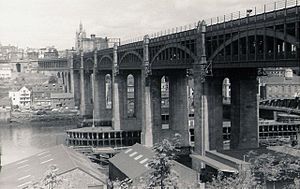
(162, 162)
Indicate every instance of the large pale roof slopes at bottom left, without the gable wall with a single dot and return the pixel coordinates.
(29, 170)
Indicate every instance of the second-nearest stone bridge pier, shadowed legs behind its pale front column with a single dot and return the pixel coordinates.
(169, 106)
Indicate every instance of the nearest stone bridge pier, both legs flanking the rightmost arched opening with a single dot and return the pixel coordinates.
(208, 101)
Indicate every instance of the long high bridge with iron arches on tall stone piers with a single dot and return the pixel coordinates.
(234, 47)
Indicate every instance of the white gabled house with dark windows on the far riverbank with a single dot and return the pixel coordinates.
(21, 98)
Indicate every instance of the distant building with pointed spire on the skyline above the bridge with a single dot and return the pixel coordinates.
(89, 44)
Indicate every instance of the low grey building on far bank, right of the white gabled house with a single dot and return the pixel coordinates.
(59, 100)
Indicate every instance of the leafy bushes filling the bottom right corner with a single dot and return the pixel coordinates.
(263, 168)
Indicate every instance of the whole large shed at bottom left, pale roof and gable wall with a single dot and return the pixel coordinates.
(73, 169)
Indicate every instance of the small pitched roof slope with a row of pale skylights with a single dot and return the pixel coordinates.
(133, 161)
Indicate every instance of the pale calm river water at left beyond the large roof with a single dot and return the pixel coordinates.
(18, 141)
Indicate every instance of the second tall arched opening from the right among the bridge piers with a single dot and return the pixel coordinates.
(164, 102)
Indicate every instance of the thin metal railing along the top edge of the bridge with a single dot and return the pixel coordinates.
(250, 12)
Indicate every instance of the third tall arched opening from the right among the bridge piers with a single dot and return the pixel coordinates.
(130, 96)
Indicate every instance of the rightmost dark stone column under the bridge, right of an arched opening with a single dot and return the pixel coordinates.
(244, 109)
